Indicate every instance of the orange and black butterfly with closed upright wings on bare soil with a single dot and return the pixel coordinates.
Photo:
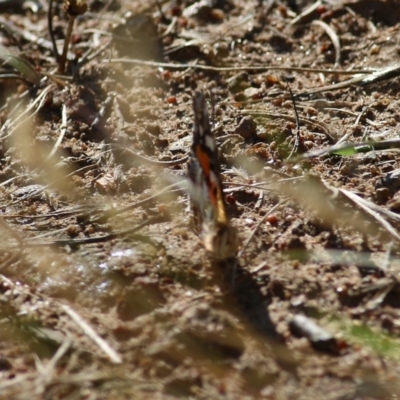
(210, 218)
